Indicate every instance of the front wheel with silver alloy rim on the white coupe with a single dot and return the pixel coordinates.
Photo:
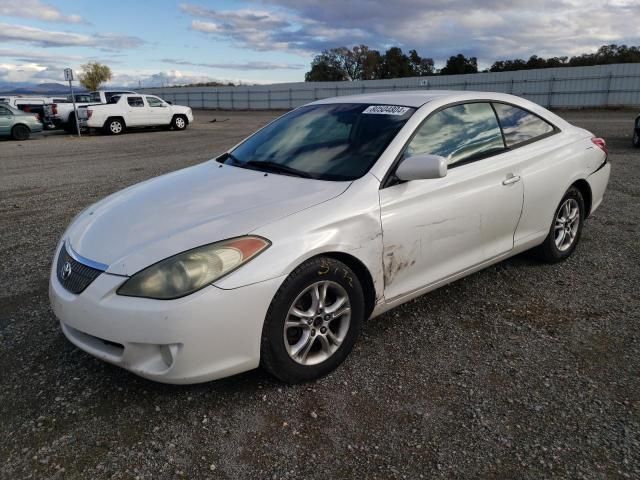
(313, 341)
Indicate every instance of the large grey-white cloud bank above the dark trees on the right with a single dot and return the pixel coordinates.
(488, 29)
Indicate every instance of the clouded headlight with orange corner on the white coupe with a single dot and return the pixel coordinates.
(192, 270)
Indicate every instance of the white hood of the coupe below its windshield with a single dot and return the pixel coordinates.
(153, 220)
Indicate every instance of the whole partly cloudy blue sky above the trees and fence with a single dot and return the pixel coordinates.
(264, 41)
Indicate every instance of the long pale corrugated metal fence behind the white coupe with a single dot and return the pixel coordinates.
(614, 85)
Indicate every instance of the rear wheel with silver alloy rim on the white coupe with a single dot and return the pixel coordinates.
(566, 228)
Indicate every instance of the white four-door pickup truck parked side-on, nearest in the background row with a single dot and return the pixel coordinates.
(132, 111)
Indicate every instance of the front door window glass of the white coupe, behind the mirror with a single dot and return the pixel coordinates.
(460, 134)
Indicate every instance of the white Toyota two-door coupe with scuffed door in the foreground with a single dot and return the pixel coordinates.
(275, 252)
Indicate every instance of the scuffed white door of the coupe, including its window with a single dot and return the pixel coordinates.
(434, 229)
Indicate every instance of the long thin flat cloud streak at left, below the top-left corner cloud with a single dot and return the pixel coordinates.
(48, 38)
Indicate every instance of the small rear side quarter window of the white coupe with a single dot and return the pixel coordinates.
(520, 126)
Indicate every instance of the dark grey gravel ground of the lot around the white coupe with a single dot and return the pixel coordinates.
(523, 370)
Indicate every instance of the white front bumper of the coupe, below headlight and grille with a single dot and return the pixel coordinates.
(210, 334)
